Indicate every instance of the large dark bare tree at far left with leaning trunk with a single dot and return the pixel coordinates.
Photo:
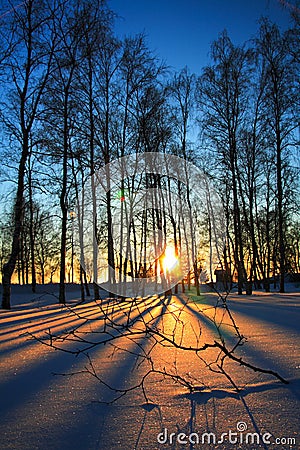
(28, 67)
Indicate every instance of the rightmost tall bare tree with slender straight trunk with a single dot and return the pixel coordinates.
(280, 97)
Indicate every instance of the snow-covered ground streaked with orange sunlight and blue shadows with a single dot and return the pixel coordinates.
(43, 410)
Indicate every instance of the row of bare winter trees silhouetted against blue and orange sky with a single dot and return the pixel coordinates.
(74, 97)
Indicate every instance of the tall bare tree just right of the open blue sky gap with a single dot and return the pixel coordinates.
(222, 97)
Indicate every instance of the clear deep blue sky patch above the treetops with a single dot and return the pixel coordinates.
(180, 31)
